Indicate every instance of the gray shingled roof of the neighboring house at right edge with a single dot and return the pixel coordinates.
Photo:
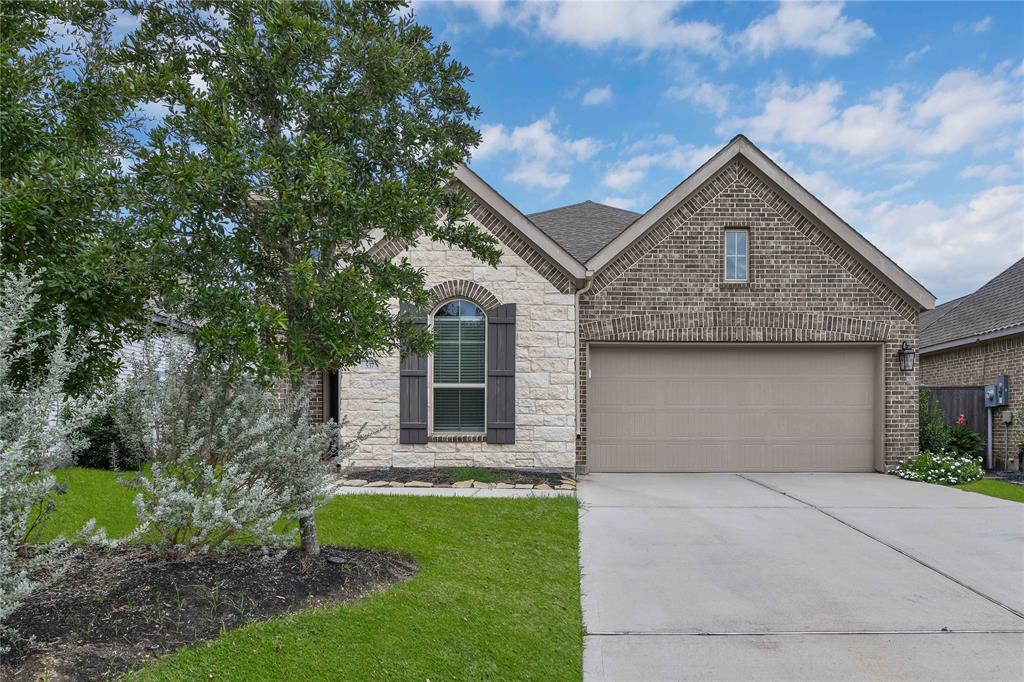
(998, 306)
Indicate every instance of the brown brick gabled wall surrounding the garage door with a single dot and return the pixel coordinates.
(803, 287)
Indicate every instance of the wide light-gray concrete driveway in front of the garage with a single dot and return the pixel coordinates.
(739, 577)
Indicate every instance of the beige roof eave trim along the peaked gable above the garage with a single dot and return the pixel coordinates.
(740, 146)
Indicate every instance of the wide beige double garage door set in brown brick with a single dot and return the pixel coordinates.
(733, 408)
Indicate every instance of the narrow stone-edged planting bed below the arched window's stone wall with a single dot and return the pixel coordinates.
(458, 478)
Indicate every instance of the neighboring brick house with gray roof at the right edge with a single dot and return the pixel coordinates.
(971, 340)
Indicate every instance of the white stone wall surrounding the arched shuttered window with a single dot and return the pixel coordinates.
(545, 365)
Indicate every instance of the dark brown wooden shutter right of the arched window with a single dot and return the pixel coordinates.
(501, 374)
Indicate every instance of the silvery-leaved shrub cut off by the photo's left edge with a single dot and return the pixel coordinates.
(40, 430)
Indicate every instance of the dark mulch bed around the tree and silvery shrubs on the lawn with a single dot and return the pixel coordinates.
(114, 611)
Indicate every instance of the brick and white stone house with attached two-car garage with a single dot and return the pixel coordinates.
(738, 325)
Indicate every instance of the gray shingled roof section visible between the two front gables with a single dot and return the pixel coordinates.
(585, 229)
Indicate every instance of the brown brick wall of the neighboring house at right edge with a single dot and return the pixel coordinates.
(978, 365)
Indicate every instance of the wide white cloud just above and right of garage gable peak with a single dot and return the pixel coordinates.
(962, 109)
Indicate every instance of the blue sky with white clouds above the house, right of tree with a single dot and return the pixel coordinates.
(907, 119)
